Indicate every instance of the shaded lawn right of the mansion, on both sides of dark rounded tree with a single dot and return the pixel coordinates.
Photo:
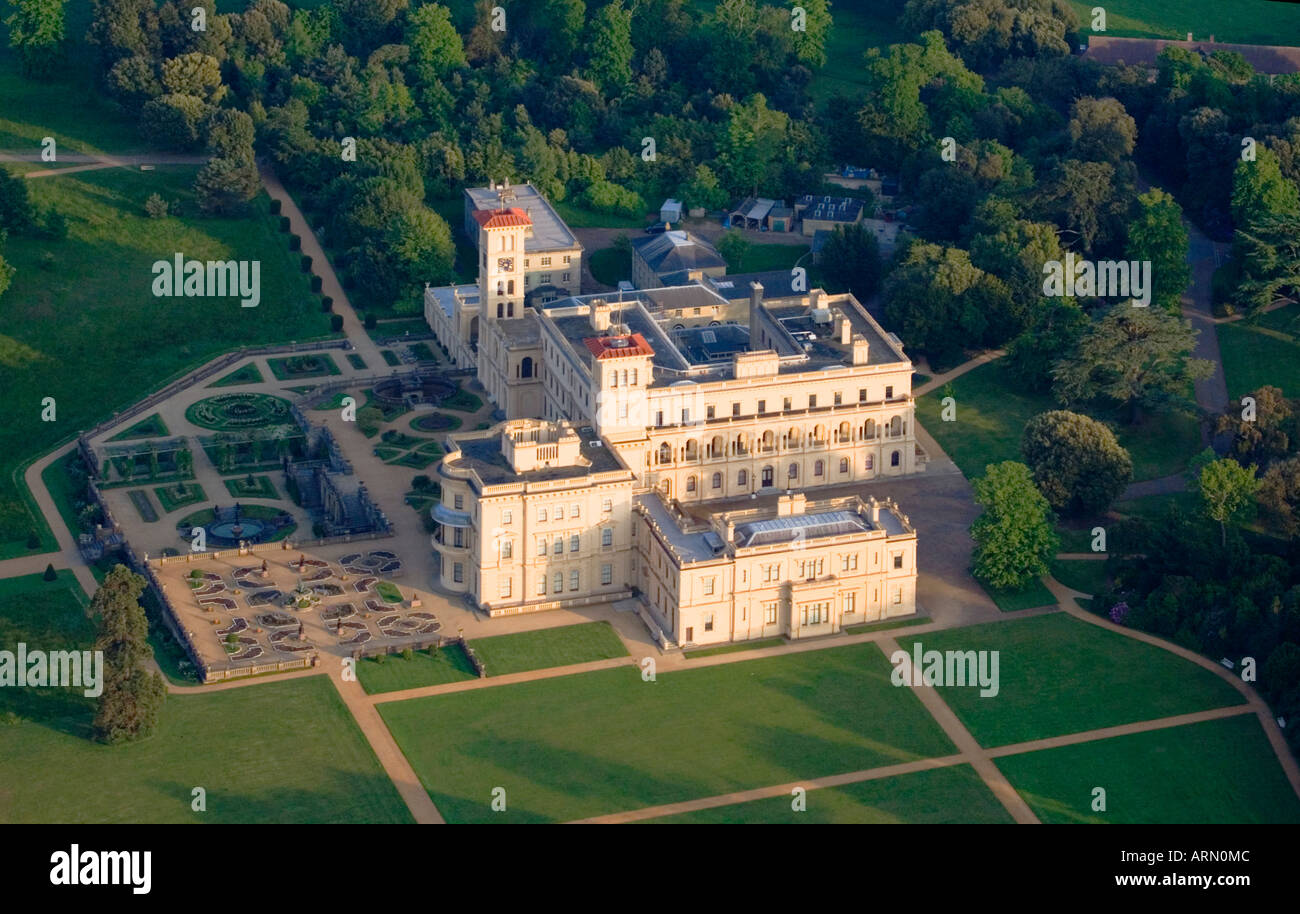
(993, 410)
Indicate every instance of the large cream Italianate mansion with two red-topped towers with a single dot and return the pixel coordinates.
(700, 447)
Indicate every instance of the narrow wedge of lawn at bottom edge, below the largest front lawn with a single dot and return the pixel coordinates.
(952, 795)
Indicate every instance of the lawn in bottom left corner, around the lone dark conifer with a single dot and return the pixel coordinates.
(284, 752)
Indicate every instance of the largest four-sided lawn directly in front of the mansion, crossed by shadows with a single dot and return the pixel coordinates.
(582, 746)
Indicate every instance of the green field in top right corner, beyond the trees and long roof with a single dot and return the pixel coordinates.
(1243, 21)
